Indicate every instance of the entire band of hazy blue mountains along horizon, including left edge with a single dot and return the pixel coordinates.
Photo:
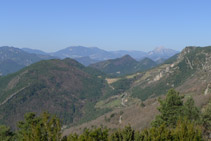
(13, 59)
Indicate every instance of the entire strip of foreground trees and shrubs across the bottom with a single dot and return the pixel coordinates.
(178, 120)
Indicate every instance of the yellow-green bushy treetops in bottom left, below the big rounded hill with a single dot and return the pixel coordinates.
(45, 127)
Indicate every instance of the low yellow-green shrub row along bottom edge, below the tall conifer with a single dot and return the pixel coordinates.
(184, 130)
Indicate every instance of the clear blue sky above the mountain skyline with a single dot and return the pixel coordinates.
(51, 25)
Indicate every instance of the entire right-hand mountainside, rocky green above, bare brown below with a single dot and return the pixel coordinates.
(135, 100)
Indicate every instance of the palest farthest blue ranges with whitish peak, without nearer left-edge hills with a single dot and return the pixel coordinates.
(89, 55)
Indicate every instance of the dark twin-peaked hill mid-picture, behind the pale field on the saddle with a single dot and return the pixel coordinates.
(124, 65)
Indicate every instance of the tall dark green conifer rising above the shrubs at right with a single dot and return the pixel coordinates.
(172, 109)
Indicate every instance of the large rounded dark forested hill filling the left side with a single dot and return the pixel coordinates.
(63, 87)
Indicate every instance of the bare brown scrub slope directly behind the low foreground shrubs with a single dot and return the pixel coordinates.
(139, 117)
